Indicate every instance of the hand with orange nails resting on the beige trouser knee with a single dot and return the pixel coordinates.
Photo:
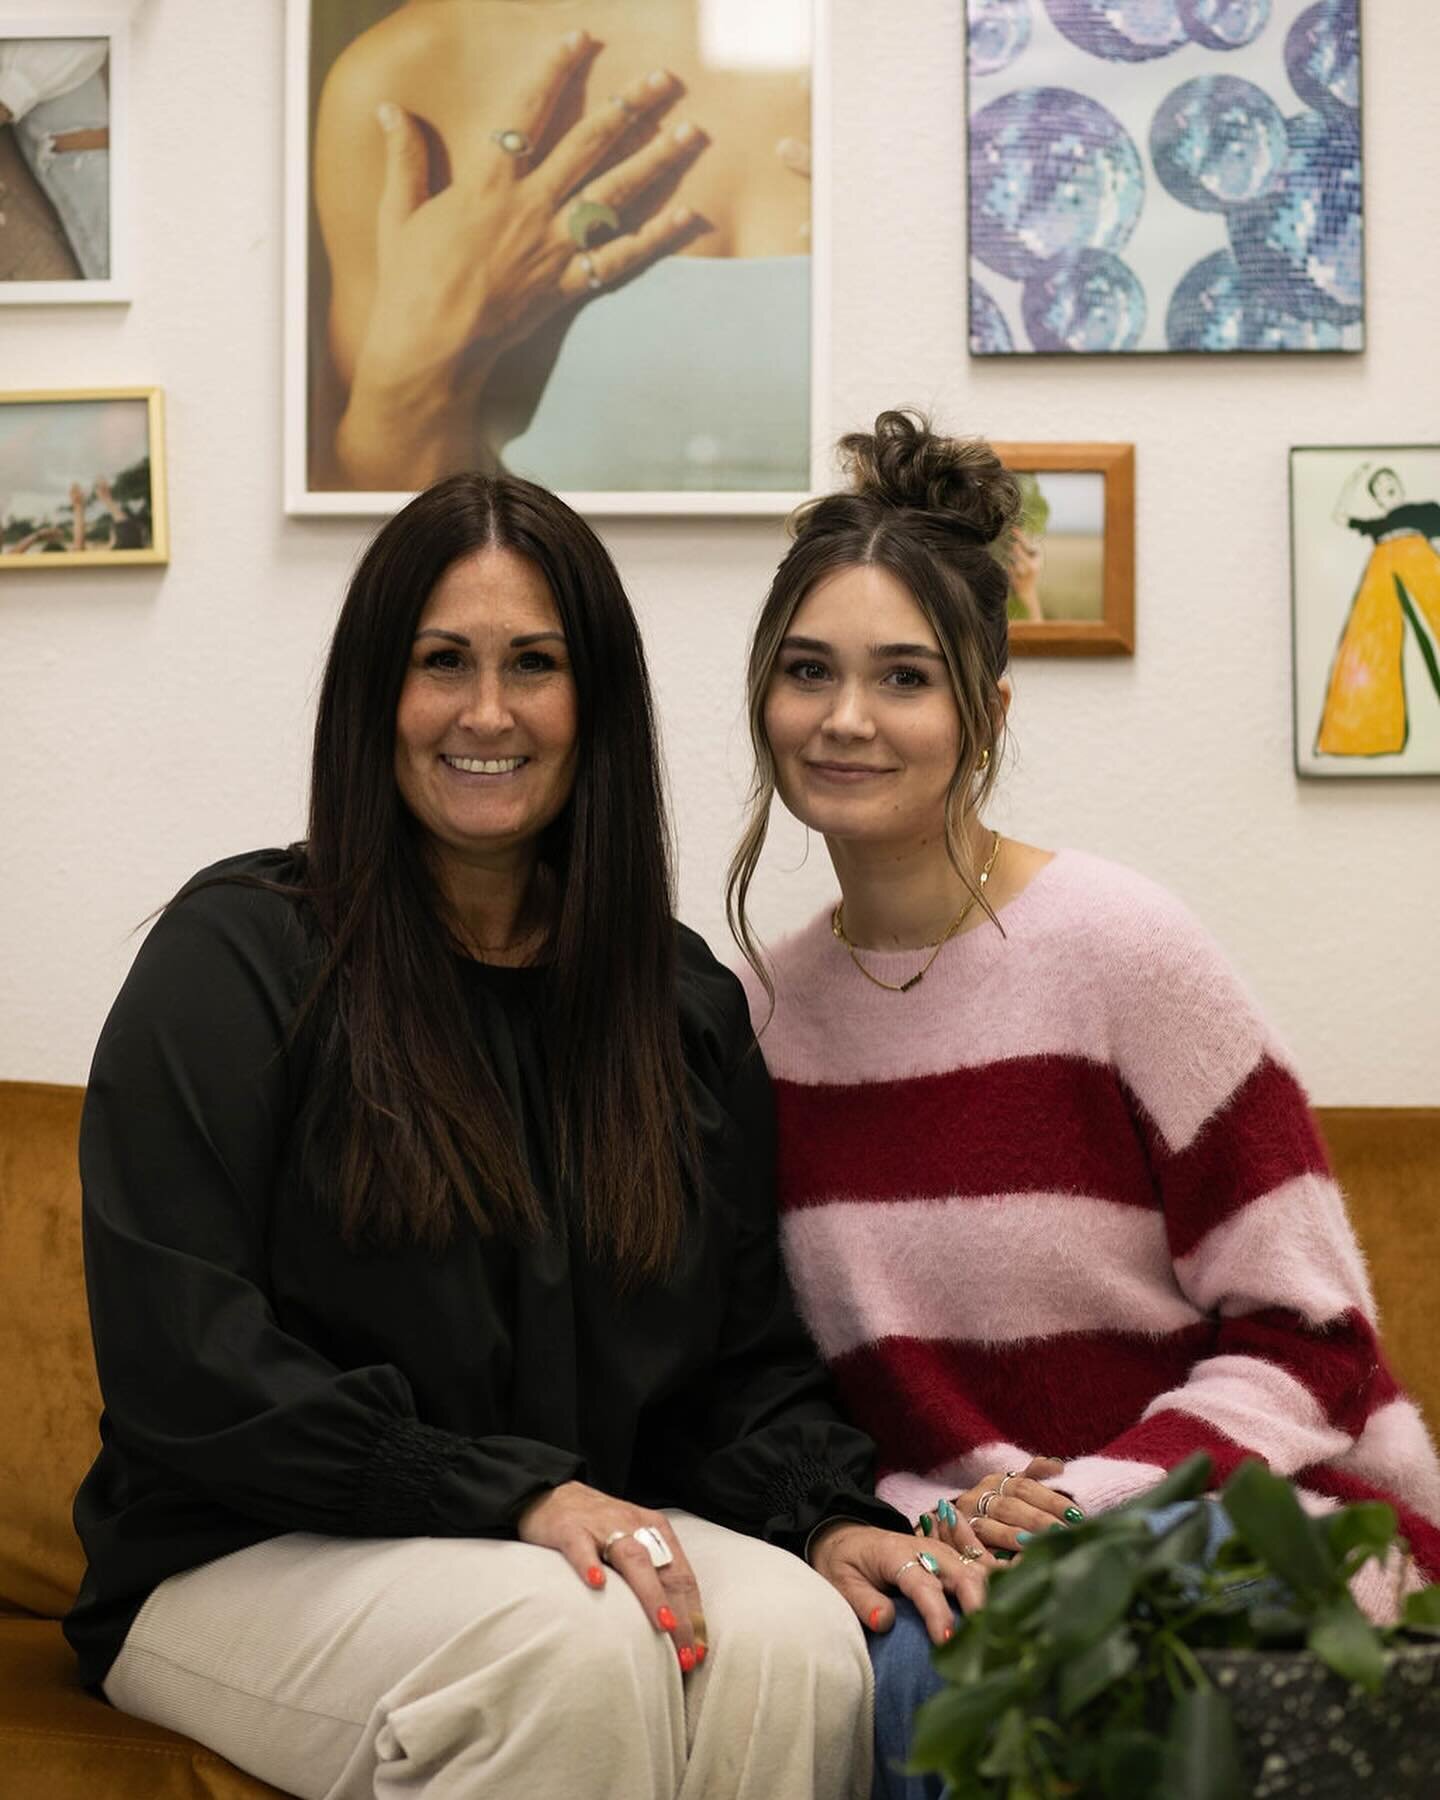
(579, 1522)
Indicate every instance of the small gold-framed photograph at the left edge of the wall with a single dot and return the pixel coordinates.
(84, 480)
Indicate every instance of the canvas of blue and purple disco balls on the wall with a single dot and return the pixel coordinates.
(1165, 175)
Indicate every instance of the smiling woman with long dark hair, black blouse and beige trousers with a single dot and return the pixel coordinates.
(458, 1428)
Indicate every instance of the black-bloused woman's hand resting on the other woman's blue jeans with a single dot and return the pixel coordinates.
(863, 1563)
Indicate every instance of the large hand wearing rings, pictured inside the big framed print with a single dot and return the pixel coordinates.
(465, 274)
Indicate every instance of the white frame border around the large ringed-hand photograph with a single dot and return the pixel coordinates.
(303, 499)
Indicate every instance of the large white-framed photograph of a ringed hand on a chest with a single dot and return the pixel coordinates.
(577, 249)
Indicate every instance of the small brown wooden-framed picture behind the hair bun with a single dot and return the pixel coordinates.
(1074, 555)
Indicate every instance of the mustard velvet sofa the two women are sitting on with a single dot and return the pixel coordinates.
(60, 1743)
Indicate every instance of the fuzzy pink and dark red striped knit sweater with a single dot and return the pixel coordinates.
(1068, 1200)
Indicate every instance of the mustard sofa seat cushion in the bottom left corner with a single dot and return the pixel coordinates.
(66, 1745)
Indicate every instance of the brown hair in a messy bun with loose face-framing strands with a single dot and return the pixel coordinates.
(937, 514)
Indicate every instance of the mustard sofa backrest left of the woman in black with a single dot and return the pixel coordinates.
(49, 1401)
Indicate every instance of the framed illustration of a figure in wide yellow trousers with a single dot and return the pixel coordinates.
(1365, 595)
